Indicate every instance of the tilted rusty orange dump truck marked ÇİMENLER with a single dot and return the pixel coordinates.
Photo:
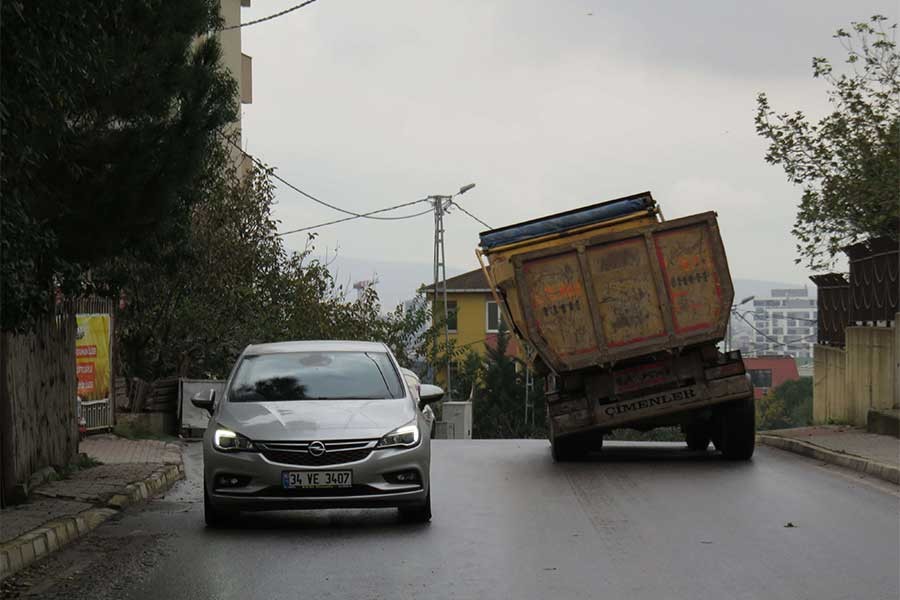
(622, 312)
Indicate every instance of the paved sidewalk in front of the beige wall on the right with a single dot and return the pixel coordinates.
(854, 448)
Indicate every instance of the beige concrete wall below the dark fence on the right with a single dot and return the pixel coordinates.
(847, 383)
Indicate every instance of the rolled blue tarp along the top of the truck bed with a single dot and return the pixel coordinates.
(567, 220)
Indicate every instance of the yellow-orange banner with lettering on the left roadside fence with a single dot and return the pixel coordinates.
(92, 360)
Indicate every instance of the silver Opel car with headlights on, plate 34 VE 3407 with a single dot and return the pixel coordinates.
(317, 425)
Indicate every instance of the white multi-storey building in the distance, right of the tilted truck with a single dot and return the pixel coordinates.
(782, 324)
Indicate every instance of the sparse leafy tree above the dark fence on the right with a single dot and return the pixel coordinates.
(849, 161)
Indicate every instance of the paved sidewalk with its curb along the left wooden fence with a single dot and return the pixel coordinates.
(62, 510)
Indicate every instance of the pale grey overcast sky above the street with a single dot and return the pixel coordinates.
(546, 106)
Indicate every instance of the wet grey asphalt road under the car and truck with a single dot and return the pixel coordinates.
(642, 521)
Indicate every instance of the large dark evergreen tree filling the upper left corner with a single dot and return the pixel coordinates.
(108, 112)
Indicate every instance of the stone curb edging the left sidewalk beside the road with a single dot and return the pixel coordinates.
(30, 547)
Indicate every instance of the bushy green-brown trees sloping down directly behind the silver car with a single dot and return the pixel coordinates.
(229, 282)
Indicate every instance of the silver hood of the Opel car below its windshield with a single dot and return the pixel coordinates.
(307, 420)
